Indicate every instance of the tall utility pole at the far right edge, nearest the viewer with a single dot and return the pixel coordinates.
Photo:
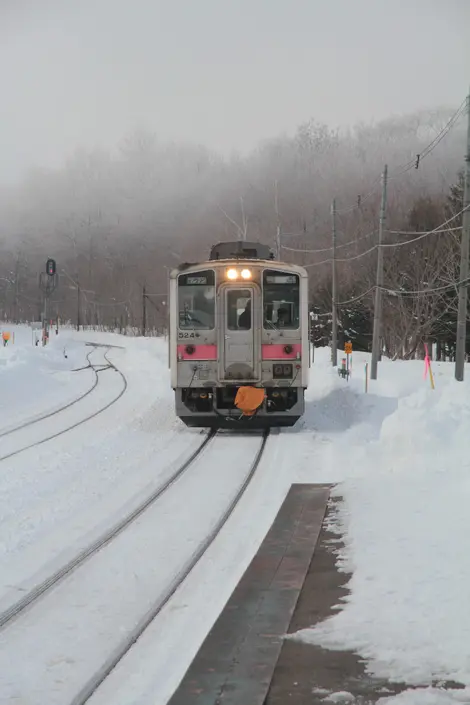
(464, 253)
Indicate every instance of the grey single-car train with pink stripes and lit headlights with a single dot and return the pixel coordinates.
(239, 339)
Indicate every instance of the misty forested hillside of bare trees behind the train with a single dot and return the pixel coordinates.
(118, 221)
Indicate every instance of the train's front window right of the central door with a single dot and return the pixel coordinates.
(280, 300)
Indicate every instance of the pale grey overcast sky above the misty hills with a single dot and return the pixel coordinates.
(226, 73)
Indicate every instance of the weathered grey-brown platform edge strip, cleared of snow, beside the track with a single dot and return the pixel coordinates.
(236, 662)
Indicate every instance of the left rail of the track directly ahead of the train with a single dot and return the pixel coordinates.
(42, 588)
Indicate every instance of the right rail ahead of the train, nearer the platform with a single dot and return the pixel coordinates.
(104, 671)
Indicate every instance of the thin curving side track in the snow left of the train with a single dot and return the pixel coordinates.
(55, 413)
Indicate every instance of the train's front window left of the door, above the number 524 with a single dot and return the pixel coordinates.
(196, 300)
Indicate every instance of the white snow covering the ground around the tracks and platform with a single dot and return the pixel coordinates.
(399, 456)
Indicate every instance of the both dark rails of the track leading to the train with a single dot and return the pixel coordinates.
(33, 598)
